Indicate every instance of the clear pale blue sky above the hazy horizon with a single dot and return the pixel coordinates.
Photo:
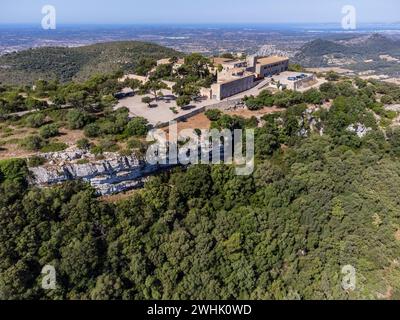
(198, 11)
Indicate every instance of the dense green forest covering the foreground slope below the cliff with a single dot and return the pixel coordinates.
(313, 205)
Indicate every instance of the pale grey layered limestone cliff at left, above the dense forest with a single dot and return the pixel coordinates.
(110, 175)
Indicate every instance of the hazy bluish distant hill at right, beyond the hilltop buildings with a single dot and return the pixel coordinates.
(321, 53)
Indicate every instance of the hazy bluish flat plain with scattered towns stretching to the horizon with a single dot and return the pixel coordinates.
(268, 39)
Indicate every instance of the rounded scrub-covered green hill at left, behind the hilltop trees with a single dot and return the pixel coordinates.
(79, 63)
